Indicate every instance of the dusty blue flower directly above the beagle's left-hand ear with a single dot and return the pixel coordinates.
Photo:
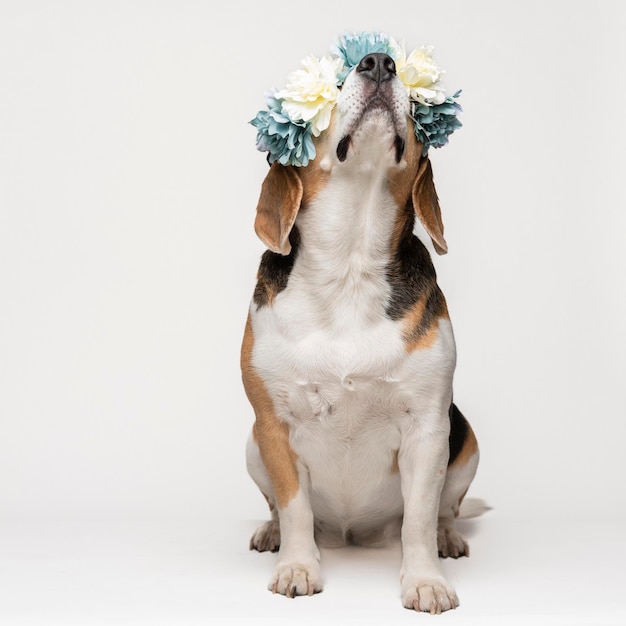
(287, 141)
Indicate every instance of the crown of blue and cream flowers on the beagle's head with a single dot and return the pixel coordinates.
(301, 111)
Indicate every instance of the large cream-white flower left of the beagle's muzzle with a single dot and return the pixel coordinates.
(311, 92)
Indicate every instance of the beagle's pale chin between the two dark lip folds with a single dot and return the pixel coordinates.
(375, 137)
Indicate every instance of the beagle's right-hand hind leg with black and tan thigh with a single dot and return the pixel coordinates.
(461, 470)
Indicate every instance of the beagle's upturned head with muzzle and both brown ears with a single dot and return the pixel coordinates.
(371, 131)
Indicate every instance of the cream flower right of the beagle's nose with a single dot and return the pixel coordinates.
(420, 75)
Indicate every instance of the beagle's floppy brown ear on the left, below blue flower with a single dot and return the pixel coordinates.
(279, 202)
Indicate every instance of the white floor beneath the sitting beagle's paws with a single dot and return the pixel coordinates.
(551, 572)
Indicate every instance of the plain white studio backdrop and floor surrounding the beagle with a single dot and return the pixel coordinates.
(128, 182)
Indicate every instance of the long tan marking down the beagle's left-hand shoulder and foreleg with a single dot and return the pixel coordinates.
(269, 432)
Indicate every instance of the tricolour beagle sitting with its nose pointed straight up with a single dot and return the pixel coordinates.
(348, 353)
